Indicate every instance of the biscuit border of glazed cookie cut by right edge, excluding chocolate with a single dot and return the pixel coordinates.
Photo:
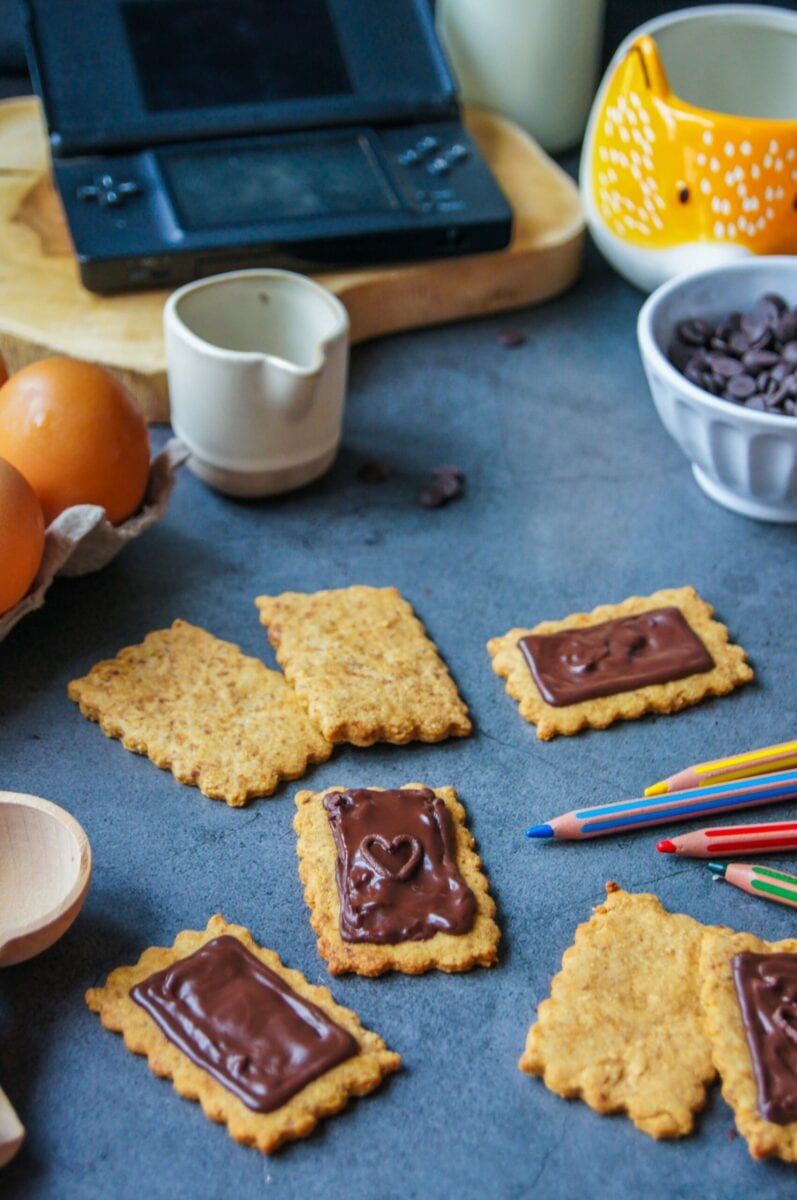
(765, 1139)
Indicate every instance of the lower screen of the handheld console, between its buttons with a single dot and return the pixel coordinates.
(214, 188)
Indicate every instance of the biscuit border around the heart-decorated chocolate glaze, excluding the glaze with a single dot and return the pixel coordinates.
(444, 951)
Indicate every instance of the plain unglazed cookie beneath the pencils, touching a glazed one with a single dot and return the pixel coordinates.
(622, 1028)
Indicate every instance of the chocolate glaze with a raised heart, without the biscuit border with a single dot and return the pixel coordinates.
(398, 878)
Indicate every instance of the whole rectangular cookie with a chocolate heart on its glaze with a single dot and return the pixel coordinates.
(393, 881)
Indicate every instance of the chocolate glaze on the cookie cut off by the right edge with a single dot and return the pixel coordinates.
(766, 986)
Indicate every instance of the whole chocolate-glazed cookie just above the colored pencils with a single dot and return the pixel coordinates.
(649, 655)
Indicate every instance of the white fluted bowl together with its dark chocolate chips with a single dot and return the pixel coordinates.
(720, 350)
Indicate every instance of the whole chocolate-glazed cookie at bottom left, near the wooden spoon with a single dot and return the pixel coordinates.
(265, 1052)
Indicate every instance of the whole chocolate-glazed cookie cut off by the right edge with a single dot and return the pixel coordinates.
(750, 997)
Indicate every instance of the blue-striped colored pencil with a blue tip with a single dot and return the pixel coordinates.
(697, 802)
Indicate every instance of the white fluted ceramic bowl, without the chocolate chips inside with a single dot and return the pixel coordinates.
(742, 459)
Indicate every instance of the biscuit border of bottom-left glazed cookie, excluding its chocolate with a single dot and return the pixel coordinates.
(299, 1115)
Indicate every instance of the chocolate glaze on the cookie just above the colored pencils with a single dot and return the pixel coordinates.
(618, 656)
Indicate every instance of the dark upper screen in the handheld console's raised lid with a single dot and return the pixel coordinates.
(220, 53)
